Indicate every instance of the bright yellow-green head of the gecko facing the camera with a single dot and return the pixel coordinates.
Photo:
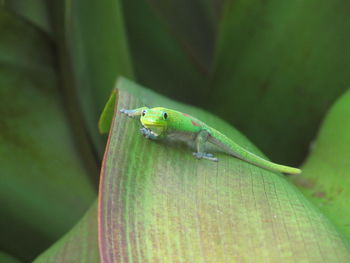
(155, 119)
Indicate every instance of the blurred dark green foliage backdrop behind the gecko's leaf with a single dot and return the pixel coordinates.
(270, 68)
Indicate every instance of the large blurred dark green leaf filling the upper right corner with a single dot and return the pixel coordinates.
(279, 65)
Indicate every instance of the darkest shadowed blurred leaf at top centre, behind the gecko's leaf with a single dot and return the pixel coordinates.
(163, 58)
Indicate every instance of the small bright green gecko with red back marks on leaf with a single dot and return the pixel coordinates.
(161, 122)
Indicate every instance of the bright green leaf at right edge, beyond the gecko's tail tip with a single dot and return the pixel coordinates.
(325, 177)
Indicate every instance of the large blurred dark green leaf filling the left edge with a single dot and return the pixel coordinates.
(44, 188)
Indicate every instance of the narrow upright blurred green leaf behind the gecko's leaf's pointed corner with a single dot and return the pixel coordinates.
(93, 52)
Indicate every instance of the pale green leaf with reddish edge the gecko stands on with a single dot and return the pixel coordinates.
(159, 204)
